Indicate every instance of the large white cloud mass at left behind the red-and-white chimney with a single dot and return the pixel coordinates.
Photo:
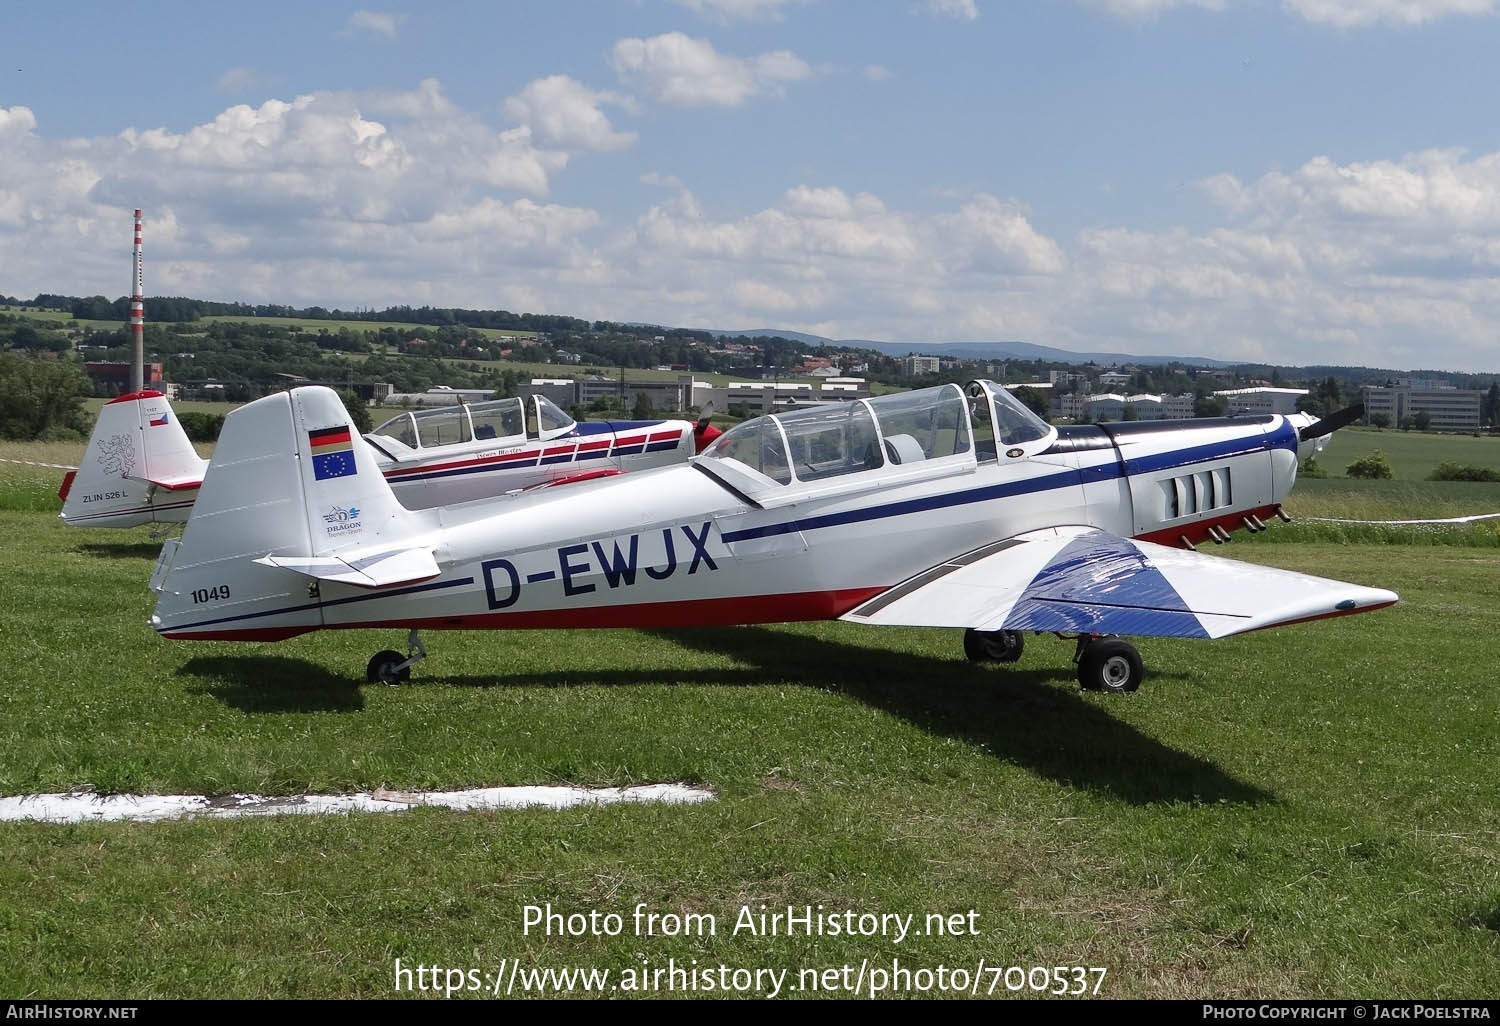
(313, 199)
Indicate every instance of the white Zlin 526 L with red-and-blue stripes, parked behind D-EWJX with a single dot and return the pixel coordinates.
(142, 469)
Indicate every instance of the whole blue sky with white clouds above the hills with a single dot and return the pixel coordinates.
(1295, 182)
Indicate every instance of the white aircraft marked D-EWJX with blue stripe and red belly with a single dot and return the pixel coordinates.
(941, 508)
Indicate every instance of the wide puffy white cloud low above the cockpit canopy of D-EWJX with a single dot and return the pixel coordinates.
(826, 260)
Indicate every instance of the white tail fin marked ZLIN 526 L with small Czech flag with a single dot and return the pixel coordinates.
(140, 467)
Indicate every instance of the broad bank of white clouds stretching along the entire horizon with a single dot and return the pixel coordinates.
(403, 197)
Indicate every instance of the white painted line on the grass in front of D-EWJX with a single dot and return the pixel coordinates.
(86, 808)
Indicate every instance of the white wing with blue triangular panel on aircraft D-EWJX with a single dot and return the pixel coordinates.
(1093, 583)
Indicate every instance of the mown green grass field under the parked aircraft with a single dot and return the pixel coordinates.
(1310, 812)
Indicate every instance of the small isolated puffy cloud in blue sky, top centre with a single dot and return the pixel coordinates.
(679, 70)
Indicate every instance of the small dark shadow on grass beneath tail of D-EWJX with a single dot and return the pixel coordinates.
(272, 685)
